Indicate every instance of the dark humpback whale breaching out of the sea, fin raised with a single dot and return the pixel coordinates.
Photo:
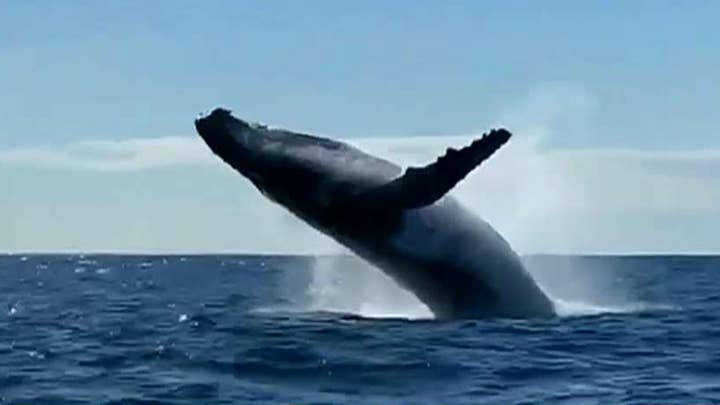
(402, 222)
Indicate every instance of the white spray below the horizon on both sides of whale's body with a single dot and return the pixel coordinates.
(346, 284)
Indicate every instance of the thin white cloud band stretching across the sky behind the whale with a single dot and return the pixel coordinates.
(147, 153)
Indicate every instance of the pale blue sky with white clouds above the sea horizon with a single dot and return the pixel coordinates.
(613, 107)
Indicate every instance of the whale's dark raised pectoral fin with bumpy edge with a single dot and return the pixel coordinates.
(421, 186)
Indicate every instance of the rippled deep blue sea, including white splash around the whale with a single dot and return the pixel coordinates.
(286, 329)
